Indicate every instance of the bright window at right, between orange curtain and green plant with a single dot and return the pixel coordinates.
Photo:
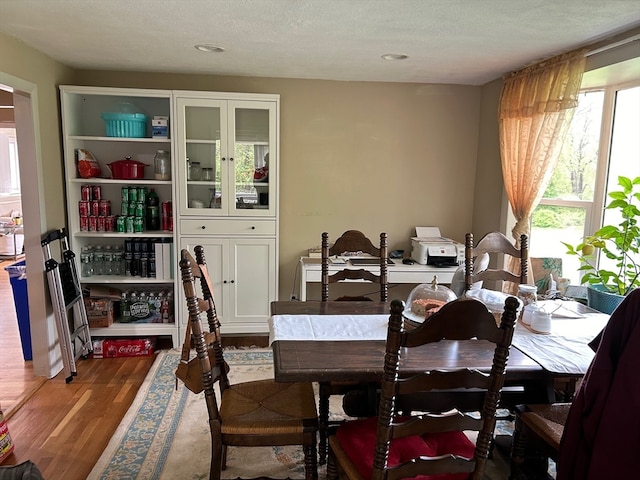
(602, 144)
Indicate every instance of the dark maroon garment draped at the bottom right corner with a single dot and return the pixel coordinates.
(601, 438)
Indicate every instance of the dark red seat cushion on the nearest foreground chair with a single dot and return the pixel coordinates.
(358, 440)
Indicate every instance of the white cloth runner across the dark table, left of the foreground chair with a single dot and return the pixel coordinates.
(328, 327)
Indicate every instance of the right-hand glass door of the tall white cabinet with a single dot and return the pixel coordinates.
(252, 173)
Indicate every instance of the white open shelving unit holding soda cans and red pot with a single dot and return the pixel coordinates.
(83, 128)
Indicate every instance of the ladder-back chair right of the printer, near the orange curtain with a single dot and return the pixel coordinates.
(496, 243)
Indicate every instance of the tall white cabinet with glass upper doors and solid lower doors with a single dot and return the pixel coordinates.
(227, 171)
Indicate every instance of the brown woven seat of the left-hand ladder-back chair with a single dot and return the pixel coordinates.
(267, 407)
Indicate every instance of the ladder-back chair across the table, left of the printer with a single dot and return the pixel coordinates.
(354, 243)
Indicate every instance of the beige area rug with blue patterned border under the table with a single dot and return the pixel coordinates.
(165, 433)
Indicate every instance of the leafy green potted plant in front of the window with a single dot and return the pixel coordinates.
(620, 243)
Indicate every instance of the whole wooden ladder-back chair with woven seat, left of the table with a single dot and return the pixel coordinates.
(247, 414)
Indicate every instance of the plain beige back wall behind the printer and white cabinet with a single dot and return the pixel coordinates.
(371, 156)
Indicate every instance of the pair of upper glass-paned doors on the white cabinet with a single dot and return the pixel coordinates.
(226, 158)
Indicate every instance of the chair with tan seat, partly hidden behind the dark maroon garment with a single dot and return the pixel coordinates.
(537, 434)
